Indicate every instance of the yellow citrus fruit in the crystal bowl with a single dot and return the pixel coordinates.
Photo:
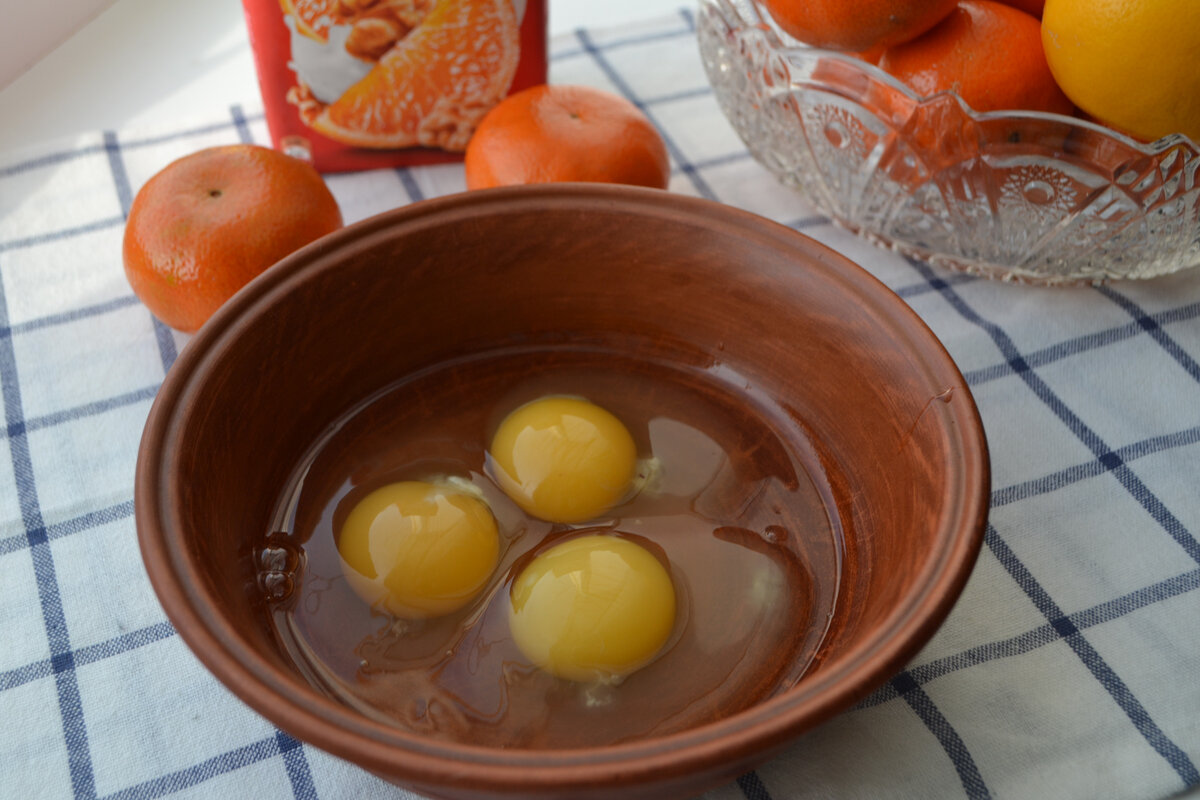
(1132, 64)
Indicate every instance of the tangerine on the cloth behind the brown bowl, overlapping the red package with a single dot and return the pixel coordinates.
(567, 134)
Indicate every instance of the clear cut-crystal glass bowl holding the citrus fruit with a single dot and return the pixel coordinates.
(1028, 196)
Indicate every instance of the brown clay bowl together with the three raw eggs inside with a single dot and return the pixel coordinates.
(572, 490)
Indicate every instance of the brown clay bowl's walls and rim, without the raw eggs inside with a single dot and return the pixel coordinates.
(745, 304)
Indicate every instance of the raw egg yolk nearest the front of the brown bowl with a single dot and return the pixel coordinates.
(592, 609)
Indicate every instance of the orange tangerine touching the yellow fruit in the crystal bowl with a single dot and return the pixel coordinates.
(988, 53)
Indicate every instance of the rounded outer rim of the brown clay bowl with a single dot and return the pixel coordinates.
(297, 708)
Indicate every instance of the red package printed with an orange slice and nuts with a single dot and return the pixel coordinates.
(361, 85)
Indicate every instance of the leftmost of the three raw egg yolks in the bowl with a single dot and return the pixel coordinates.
(419, 550)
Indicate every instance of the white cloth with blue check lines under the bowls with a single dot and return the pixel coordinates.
(1071, 667)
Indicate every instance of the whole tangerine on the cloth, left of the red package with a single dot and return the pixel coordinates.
(207, 224)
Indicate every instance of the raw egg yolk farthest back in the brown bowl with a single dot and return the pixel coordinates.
(563, 459)
